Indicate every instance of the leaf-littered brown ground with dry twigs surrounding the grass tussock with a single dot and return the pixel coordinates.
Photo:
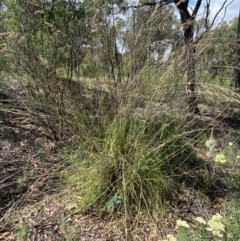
(32, 208)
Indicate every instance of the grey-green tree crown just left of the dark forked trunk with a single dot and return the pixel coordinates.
(149, 33)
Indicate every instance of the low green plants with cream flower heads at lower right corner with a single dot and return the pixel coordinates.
(218, 226)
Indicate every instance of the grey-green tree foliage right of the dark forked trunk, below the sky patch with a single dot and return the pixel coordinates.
(216, 54)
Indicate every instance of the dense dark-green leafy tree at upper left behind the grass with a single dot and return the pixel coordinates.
(53, 35)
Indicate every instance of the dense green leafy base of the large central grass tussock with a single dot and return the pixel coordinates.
(131, 166)
